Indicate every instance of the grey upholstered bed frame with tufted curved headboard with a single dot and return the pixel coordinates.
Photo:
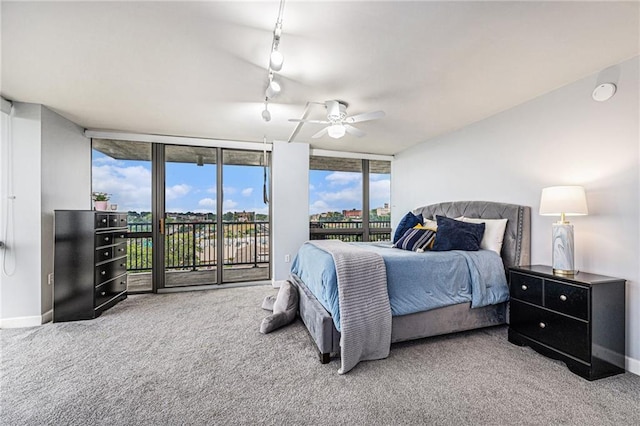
(435, 321)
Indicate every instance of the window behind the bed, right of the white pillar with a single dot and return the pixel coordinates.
(349, 199)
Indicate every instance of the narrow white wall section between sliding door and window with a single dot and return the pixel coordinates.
(289, 204)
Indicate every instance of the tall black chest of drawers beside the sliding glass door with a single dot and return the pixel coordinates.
(90, 263)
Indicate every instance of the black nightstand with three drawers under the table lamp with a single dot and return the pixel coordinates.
(579, 319)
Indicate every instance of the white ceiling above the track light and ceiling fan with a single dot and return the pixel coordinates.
(199, 68)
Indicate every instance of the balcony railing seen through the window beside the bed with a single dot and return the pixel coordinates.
(350, 231)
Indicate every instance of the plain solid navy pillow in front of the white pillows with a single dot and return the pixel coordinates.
(456, 235)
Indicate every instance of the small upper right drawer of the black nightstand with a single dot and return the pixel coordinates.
(567, 299)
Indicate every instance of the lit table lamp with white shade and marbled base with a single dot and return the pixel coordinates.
(563, 201)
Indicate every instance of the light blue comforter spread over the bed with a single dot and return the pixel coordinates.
(415, 281)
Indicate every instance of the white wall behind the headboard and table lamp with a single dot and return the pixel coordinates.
(563, 137)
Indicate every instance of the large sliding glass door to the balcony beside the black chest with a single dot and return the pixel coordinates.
(205, 220)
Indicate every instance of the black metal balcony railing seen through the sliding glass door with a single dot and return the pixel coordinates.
(193, 245)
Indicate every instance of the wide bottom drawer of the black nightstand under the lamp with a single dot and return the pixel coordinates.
(557, 331)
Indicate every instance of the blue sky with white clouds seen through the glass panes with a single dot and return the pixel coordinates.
(193, 188)
